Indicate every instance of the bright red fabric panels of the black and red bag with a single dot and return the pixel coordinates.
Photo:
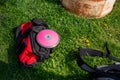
(27, 56)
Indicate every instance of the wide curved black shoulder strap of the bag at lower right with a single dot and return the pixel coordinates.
(87, 52)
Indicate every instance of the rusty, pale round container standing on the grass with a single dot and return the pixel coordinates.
(89, 8)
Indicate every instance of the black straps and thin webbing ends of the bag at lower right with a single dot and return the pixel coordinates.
(91, 52)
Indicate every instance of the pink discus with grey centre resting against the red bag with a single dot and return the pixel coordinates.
(48, 38)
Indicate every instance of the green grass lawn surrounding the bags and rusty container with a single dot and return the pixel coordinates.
(72, 30)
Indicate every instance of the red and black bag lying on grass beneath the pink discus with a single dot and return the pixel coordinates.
(30, 52)
